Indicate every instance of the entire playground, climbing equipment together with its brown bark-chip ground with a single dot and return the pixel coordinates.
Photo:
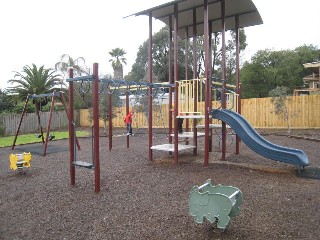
(141, 189)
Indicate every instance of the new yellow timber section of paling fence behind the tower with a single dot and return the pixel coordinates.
(304, 112)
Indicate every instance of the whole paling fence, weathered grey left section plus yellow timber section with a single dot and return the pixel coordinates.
(304, 112)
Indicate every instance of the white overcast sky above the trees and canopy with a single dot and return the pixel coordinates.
(37, 31)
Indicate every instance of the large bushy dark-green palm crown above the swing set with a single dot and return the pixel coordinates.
(34, 81)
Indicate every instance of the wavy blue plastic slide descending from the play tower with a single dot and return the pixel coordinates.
(257, 143)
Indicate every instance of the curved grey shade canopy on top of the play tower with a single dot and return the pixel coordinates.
(245, 10)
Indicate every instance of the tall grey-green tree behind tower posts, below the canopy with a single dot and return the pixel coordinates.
(160, 55)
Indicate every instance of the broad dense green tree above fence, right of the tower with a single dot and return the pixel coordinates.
(269, 69)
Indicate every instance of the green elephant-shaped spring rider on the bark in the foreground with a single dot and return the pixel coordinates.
(218, 204)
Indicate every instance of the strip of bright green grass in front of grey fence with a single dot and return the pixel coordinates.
(31, 138)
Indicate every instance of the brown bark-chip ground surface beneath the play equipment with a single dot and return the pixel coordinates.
(140, 199)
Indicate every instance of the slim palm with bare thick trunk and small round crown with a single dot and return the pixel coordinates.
(117, 60)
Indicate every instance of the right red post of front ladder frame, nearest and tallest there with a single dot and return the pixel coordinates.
(96, 127)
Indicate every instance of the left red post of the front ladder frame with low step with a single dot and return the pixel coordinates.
(71, 130)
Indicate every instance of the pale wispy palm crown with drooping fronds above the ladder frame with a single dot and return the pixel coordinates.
(67, 62)
